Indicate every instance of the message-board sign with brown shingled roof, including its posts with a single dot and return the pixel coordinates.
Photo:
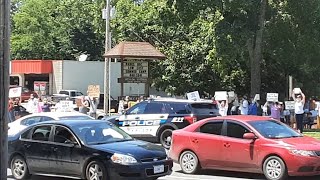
(135, 57)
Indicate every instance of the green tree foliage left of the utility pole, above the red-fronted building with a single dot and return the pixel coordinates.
(57, 29)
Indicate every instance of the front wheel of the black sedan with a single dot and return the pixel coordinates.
(96, 171)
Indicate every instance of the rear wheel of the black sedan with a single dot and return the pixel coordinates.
(19, 168)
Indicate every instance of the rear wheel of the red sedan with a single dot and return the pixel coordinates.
(189, 162)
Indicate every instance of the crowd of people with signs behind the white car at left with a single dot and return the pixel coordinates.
(85, 105)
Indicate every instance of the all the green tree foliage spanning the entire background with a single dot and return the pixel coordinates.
(205, 41)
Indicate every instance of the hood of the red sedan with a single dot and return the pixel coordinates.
(301, 143)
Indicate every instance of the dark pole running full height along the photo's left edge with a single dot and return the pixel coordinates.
(4, 84)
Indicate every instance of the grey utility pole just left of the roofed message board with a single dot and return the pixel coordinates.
(107, 61)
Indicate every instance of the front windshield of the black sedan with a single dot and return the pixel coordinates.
(100, 133)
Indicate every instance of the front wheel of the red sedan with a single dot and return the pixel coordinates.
(275, 169)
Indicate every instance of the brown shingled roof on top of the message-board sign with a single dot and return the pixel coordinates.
(134, 50)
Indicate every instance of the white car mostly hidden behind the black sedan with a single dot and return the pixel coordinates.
(23, 122)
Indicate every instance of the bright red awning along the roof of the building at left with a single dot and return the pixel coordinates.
(31, 67)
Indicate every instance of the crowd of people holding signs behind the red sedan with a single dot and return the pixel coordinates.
(303, 113)
